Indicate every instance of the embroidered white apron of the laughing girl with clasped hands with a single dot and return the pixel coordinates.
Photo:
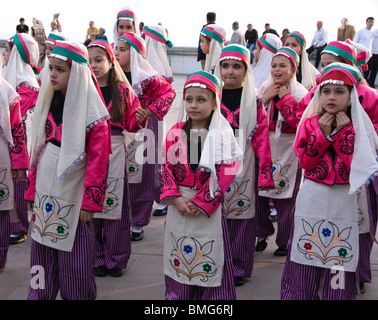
(285, 166)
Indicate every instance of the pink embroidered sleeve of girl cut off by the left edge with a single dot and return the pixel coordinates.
(19, 153)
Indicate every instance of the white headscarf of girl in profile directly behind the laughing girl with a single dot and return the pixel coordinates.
(261, 70)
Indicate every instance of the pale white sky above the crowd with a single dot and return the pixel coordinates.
(184, 19)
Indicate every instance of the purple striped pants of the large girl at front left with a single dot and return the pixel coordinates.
(69, 272)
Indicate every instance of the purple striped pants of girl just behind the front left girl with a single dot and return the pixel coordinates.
(113, 244)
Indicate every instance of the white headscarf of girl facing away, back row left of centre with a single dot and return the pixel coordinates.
(156, 51)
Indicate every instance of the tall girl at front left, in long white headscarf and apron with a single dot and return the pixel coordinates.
(70, 150)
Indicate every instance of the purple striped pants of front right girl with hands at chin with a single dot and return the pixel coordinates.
(302, 282)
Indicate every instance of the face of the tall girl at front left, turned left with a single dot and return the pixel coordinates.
(59, 74)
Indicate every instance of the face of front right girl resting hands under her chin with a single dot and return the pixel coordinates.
(335, 98)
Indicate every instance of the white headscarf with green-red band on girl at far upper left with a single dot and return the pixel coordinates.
(17, 70)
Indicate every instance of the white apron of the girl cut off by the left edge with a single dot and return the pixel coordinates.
(6, 181)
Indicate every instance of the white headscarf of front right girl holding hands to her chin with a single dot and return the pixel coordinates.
(364, 163)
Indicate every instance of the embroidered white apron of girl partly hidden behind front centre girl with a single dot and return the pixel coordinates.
(239, 198)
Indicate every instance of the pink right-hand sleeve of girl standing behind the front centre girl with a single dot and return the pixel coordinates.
(261, 147)
